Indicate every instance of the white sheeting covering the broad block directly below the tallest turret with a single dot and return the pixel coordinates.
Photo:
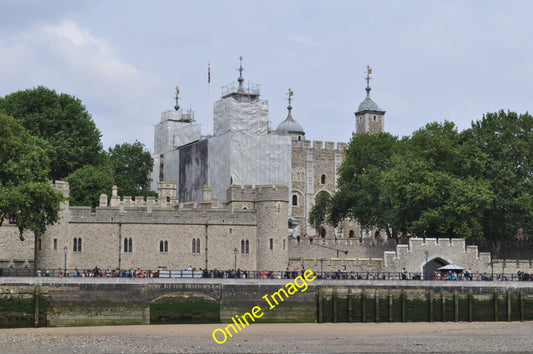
(244, 159)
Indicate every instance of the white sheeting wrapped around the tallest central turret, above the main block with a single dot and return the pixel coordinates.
(245, 117)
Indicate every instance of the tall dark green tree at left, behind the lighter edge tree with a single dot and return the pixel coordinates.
(62, 120)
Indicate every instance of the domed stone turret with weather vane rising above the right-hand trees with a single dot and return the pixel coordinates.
(369, 118)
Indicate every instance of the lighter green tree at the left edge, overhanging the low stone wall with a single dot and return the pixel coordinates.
(26, 195)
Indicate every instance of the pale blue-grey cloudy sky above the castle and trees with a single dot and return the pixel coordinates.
(431, 60)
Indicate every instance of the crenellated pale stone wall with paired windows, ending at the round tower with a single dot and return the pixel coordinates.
(151, 234)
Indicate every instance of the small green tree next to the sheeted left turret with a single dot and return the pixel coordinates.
(131, 166)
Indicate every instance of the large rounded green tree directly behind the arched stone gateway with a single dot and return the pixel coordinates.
(434, 185)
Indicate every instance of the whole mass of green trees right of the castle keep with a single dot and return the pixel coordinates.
(440, 182)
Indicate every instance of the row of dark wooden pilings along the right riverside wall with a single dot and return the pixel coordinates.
(370, 306)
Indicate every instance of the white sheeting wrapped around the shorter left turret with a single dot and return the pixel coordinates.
(170, 134)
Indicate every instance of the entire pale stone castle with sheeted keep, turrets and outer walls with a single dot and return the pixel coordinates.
(239, 197)
